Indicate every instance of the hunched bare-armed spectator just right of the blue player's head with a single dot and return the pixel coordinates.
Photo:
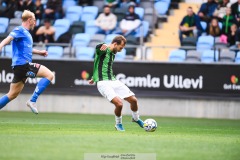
(46, 33)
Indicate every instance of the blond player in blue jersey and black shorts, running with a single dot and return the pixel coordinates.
(22, 65)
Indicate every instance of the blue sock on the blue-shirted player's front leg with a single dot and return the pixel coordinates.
(41, 86)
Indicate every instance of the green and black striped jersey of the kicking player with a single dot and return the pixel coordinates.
(103, 63)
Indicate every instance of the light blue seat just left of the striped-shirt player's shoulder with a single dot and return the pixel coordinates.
(85, 53)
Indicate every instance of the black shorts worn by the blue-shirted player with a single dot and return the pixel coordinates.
(22, 72)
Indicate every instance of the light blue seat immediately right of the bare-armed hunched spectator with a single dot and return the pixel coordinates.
(61, 26)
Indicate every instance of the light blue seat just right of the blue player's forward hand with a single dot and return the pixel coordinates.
(55, 52)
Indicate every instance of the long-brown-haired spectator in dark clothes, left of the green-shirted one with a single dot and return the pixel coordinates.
(213, 28)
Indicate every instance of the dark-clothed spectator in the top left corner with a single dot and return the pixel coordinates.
(11, 7)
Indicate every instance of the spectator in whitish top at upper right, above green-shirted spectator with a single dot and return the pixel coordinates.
(221, 9)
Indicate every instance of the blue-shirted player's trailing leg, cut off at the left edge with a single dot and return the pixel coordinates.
(15, 89)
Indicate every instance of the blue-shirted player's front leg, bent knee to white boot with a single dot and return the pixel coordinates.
(41, 86)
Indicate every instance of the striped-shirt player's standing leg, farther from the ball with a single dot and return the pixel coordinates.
(118, 113)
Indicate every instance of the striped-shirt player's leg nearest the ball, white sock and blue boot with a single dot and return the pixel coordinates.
(134, 107)
